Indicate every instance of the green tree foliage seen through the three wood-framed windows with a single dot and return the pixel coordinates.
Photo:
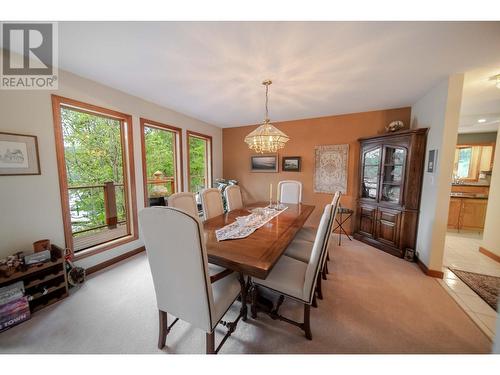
(93, 153)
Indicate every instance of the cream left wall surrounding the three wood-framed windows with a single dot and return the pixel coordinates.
(30, 206)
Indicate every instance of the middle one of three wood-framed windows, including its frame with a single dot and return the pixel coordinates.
(161, 161)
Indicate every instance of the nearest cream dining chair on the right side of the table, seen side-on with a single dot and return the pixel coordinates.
(295, 279)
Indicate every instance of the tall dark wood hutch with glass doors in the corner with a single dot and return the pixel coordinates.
(391, 172)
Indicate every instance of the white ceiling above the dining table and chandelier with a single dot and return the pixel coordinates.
(213, 70)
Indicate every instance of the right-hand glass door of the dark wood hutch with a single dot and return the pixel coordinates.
(392, 174)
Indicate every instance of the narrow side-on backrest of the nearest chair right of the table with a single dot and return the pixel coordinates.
(318, 251)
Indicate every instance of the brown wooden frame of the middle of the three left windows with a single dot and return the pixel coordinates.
(178, 165)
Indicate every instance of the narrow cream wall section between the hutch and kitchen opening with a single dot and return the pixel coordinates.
(439, 110)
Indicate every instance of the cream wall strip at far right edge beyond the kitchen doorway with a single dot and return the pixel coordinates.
(491, 234)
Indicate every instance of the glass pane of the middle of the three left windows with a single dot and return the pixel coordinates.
(160, 163)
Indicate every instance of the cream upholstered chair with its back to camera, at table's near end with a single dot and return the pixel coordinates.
(181, 274)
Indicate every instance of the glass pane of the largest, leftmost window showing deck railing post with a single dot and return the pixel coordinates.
(94, 167)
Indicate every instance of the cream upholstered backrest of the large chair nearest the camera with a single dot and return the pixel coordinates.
(178, 261)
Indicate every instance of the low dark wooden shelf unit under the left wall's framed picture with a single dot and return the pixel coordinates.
(46, 283)
